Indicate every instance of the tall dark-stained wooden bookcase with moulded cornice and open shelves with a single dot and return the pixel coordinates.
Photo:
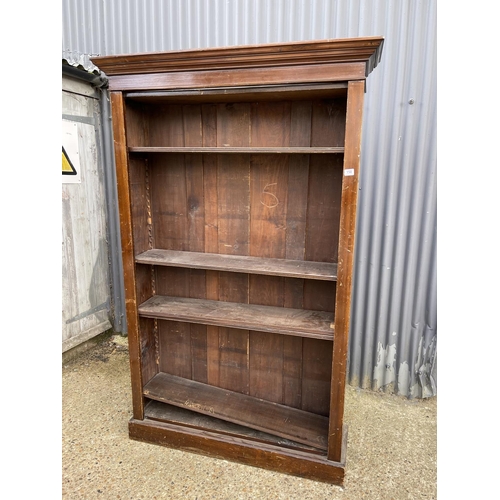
(237, 177)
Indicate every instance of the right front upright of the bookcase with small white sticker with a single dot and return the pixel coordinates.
(354, 120)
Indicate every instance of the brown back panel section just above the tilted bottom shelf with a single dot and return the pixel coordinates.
(286, 370)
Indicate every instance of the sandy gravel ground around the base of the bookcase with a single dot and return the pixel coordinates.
(391, 451)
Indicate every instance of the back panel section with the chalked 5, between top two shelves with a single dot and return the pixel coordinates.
(279, 206)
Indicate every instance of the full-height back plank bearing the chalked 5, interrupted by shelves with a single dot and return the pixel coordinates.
(268, 200)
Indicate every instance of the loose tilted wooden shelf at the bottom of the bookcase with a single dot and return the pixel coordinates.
(287, 422)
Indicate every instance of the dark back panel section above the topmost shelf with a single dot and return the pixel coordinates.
(239, 124)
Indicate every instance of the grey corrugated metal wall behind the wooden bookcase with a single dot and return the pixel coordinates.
(394, 330)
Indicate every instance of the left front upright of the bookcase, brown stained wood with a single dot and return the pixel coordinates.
(121, 159)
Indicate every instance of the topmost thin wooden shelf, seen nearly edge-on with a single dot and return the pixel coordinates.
(236, 150)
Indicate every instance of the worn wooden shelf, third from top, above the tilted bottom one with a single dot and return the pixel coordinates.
(286, 321)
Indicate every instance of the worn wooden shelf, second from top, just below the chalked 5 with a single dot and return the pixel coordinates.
(240, 264)
